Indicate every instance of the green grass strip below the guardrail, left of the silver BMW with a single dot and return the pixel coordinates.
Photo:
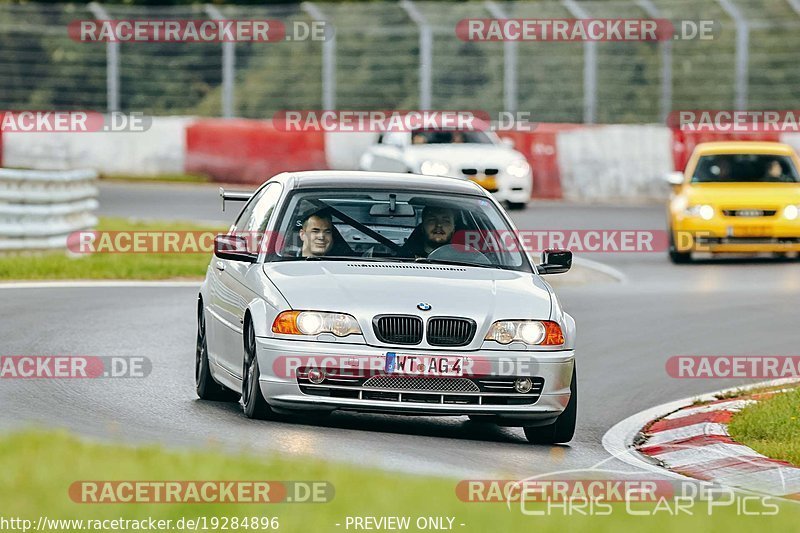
(60, 265)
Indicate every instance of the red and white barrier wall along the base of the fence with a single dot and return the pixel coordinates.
(570, 161)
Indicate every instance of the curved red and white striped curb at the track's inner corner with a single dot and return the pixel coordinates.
(683, 439)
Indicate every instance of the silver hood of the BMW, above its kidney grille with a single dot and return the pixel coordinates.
(366, 289)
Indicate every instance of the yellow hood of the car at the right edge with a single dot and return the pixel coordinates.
(744, 195)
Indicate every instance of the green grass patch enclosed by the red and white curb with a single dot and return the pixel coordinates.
(771, 426)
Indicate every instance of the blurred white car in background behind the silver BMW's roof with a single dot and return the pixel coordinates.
(479, 156)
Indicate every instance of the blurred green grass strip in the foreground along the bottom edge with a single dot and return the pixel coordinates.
(37, 469)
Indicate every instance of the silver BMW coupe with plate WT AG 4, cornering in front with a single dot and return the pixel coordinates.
(392, 293)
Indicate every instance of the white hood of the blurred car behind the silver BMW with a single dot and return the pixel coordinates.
(462, 156)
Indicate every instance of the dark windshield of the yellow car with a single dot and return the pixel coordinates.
(738, 168)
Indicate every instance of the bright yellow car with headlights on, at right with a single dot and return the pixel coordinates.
(735, 197)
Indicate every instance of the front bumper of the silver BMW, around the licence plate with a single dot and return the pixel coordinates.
(278, 361)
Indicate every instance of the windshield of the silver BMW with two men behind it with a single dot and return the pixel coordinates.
(382, 225)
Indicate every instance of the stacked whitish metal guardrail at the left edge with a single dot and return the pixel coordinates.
(39, 209)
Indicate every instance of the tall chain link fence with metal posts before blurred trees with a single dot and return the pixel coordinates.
(406, 55)
